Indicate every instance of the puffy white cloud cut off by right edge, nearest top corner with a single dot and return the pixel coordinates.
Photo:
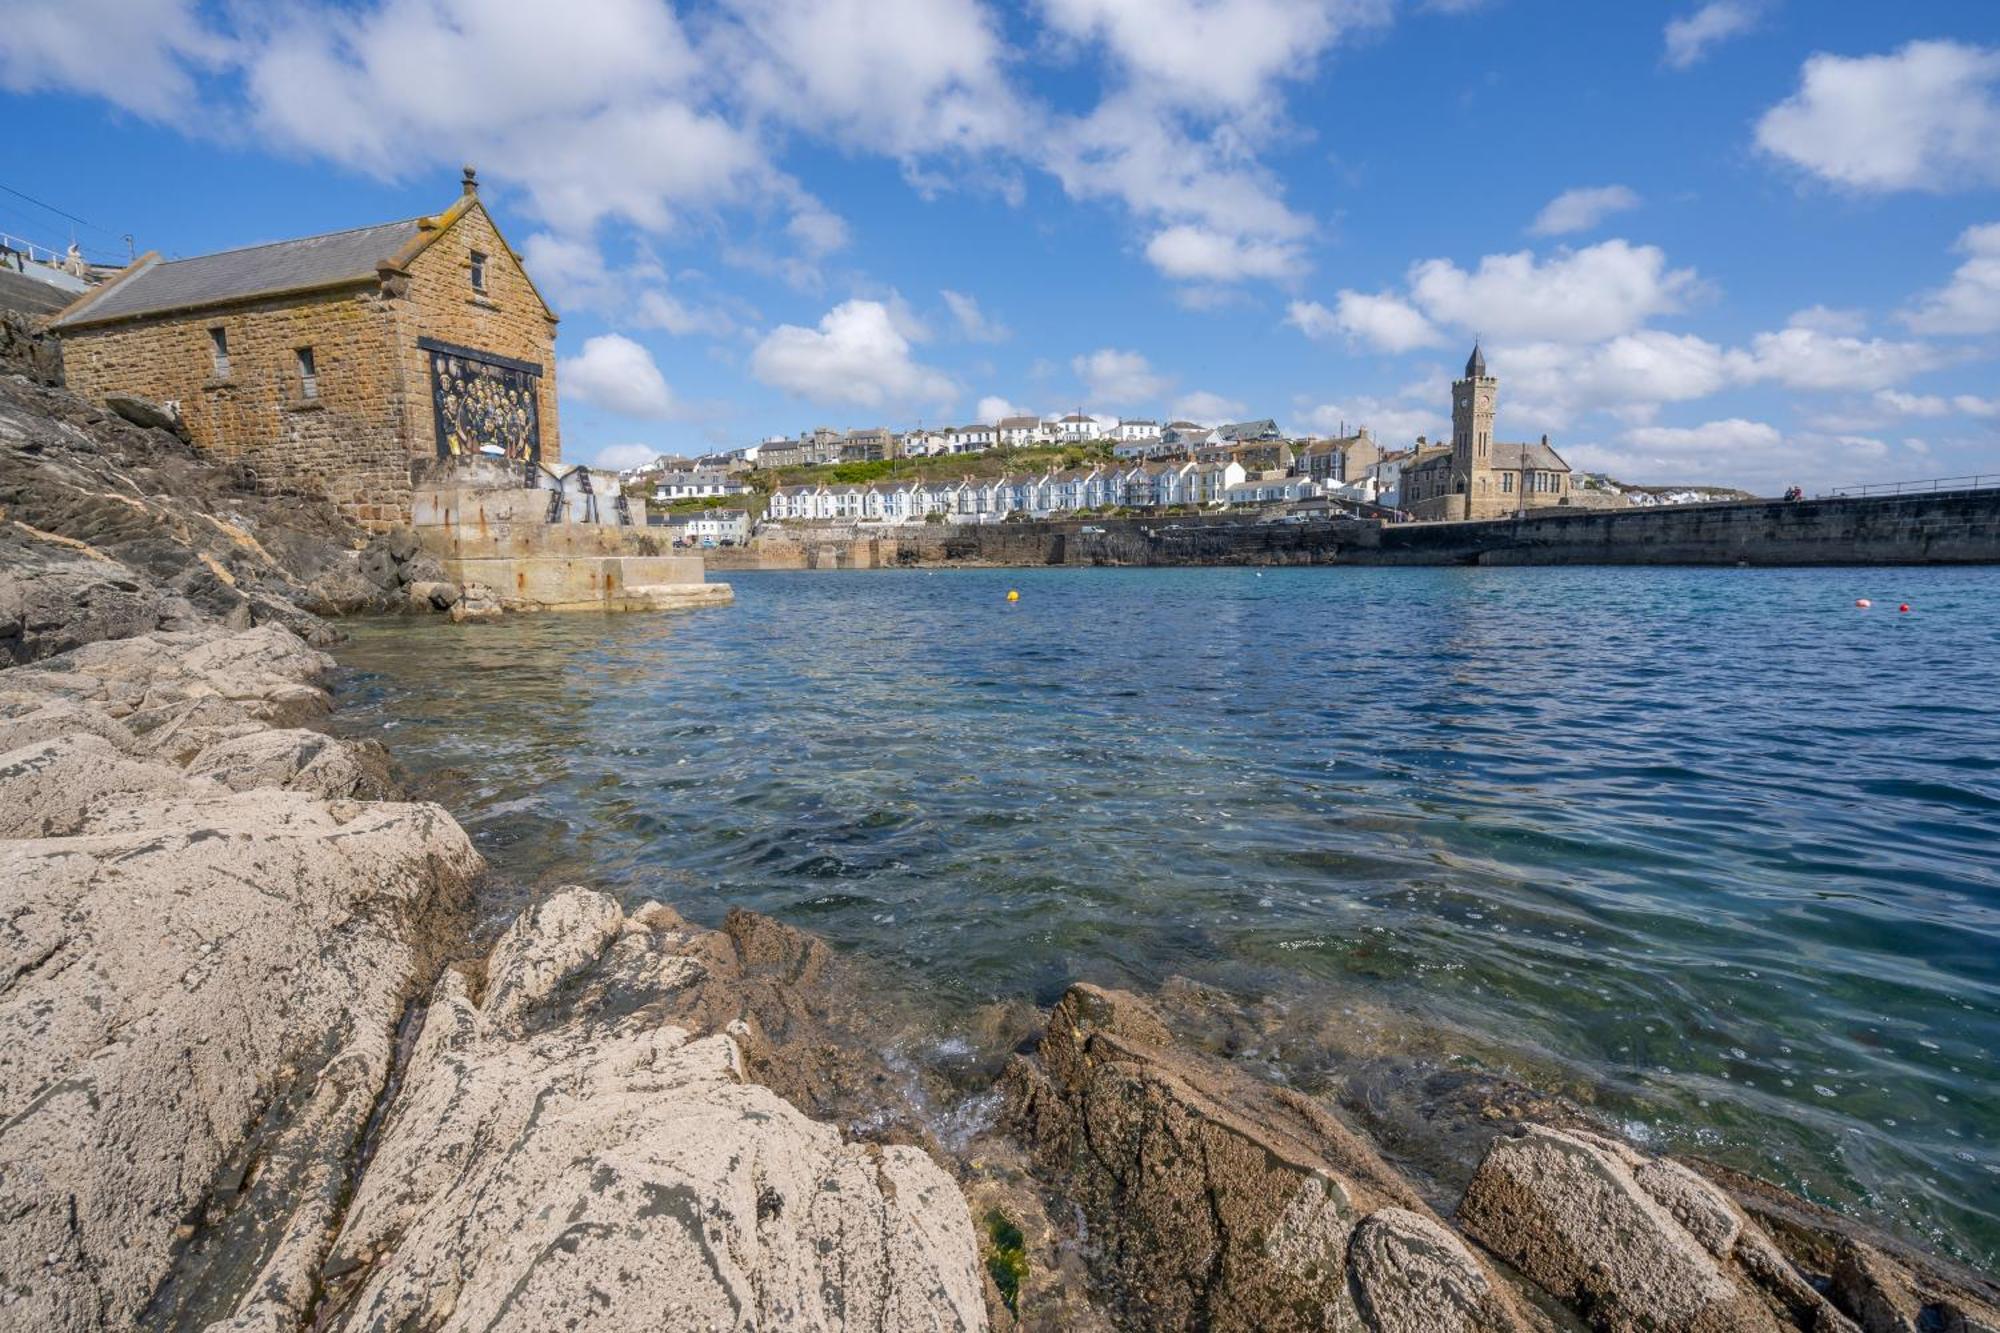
(1919, 119)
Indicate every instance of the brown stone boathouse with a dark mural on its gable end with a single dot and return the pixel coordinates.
(337, 365)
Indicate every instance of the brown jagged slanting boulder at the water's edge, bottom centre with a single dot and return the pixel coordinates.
(1215, 1202)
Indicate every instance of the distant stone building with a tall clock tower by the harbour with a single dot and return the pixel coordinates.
(1477, 477)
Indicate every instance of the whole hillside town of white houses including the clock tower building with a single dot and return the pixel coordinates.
(1113, 465)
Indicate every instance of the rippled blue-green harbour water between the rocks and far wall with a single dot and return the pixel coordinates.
(1713, 846)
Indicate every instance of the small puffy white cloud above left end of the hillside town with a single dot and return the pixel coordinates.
(857, 357)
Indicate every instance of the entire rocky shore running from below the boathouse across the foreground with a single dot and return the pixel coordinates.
(259, 1072)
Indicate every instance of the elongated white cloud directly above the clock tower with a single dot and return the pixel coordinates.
(1573, 297)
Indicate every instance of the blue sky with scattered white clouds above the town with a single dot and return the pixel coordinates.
(1727, 241)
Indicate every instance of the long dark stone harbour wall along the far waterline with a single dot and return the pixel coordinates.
(1959, 527)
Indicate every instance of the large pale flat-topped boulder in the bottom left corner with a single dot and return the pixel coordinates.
(199, 1020)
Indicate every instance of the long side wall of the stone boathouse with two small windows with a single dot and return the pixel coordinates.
(345, 445)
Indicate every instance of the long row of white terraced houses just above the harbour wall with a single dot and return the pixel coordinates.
(989, 499)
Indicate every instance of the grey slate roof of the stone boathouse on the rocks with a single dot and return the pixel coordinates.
(253, 271)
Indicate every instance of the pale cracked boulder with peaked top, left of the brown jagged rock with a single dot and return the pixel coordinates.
(561, 1150)
